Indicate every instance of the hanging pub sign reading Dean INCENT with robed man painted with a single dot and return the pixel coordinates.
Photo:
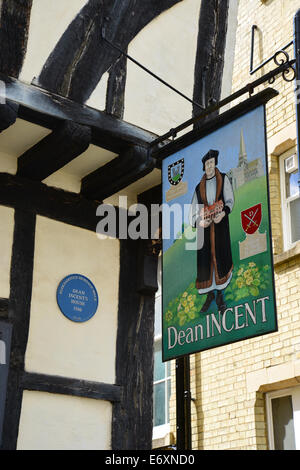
(218, 285)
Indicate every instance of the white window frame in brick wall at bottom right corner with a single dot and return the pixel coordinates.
(295, 394)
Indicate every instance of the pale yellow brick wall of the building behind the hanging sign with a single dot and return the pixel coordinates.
(229, 382)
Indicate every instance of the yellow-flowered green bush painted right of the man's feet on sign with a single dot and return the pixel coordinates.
(248, 280)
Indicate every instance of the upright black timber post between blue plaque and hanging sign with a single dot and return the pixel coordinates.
(132, 418)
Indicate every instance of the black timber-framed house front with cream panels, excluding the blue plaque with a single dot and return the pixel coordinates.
(61, 374)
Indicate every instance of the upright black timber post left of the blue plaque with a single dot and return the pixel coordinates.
(19, 315)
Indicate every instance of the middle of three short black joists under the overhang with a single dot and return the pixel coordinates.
(53, 152)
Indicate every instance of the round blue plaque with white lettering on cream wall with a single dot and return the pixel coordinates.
(77, 298)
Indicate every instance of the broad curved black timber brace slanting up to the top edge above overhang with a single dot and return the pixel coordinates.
(81, 57)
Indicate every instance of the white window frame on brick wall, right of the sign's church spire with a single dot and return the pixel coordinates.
(285, 202)
